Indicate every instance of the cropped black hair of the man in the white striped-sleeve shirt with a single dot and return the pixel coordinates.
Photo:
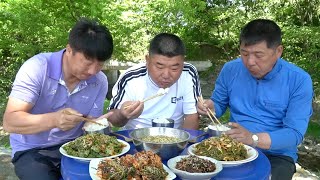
(167, 44)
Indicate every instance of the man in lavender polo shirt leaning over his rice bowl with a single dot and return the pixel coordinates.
(45, 87)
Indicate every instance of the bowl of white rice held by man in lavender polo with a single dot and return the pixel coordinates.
(90, 128)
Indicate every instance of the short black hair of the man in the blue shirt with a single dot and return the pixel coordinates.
(260, 30)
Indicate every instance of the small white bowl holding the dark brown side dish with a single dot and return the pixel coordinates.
(192, 176)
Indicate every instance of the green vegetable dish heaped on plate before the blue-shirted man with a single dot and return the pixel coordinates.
(222, 148)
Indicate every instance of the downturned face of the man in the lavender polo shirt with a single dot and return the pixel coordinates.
(81, 67)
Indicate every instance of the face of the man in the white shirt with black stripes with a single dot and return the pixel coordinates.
(164, 71)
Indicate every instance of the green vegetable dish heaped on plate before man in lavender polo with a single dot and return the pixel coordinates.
(94, 146)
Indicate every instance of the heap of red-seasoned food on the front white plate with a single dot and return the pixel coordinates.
(142, 165)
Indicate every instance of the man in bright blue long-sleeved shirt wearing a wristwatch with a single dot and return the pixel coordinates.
(270, 99)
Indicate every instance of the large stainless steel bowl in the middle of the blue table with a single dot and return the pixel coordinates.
(164, 150)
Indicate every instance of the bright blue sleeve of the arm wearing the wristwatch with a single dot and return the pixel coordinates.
(298, 113)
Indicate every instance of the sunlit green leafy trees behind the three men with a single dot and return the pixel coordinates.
(209, 28)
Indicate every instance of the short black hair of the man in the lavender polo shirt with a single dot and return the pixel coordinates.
(91, 39)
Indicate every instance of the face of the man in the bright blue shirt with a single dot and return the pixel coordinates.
(259, 59)
